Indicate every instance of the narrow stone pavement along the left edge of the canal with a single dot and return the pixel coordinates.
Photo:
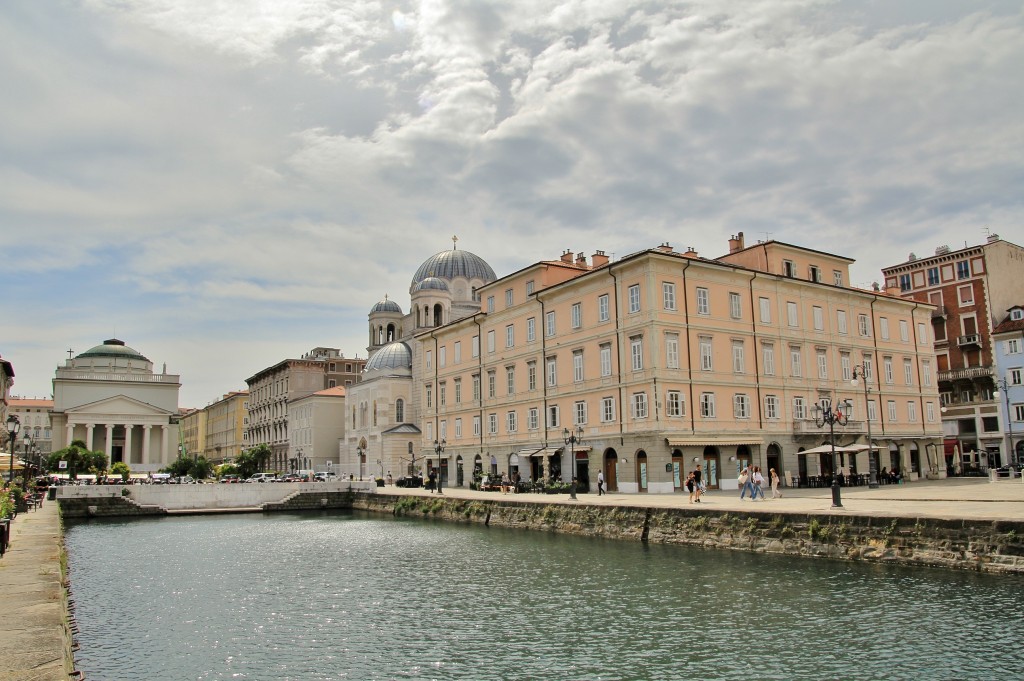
(32, 601)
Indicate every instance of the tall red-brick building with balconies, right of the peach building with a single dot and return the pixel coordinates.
(970, 290)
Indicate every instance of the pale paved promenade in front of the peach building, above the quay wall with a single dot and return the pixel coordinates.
(975, 499)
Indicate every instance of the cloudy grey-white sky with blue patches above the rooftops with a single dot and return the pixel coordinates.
(225, 185)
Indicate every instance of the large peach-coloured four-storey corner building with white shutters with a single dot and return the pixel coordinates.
(665, 360)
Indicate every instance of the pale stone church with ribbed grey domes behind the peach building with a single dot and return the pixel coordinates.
(382, 434)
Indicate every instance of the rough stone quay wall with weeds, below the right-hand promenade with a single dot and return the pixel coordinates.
(982, 546)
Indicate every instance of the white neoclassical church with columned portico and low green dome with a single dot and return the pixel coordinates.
(110, 398)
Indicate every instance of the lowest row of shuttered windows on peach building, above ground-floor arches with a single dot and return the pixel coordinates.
(675, 407)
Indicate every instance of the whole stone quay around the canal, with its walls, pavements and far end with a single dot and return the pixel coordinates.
(957, 524)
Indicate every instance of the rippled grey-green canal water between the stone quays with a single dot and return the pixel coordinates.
(355, 597)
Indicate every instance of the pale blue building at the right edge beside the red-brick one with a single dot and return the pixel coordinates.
(1008, 338)
